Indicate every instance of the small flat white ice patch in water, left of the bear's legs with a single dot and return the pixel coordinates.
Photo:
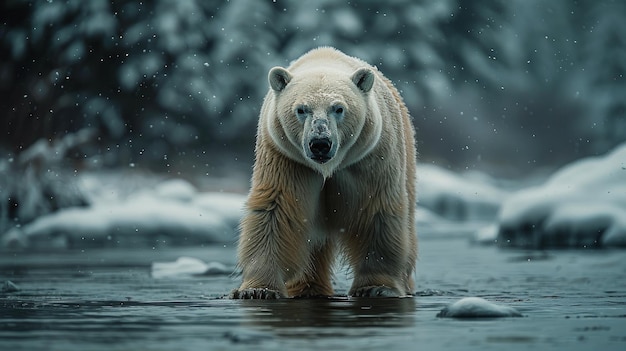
(187, 266)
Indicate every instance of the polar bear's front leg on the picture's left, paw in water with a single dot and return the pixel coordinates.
(273, 246)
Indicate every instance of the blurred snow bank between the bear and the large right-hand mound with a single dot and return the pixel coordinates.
(471, 196)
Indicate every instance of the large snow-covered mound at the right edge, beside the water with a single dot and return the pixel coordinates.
(582, 205)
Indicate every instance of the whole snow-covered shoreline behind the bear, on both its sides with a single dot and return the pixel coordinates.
(583, 205)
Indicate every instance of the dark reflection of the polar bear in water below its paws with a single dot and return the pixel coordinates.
(337, 315)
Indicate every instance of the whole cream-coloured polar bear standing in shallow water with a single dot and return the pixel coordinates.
(334, 173)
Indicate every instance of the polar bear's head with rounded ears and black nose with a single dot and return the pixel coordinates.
(321, 113)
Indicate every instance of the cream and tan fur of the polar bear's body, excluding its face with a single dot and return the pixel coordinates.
(299, 217)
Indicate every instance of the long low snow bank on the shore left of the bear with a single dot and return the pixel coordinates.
(172, 213)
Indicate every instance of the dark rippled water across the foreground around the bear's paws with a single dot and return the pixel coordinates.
(107, 300)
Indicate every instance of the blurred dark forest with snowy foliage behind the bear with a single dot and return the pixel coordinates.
(511, 88)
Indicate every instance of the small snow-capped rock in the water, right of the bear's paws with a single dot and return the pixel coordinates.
(476, 307)
